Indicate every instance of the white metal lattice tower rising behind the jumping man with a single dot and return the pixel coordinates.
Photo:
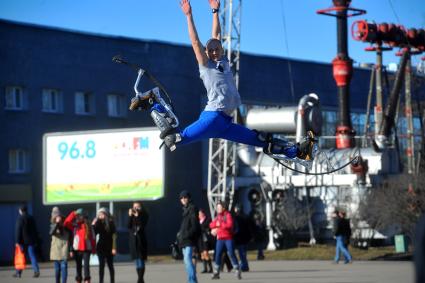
(222, 153)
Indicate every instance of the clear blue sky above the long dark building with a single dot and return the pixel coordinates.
(309, 36)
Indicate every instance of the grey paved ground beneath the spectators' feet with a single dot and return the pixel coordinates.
(261, 272)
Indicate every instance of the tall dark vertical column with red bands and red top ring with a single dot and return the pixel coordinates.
(343, 70)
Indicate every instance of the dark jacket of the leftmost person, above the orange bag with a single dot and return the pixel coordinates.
(26, 230)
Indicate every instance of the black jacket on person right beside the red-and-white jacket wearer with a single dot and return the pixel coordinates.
(105, 242)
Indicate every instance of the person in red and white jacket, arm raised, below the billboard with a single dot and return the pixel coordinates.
(83, 244)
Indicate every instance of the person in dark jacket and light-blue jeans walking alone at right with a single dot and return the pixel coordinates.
(341, 232)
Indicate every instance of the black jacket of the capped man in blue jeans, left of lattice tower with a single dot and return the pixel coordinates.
(190, 229)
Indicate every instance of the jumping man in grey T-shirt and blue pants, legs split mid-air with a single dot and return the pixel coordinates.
(223, 98)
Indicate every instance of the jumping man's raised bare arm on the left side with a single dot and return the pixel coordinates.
(200, 54)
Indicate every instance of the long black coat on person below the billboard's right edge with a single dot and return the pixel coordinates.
(138, 241)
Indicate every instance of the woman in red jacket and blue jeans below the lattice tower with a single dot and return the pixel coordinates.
(222, 227)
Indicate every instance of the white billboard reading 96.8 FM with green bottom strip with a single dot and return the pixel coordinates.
(104, 165)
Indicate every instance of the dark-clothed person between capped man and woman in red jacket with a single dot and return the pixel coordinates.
(205, 241)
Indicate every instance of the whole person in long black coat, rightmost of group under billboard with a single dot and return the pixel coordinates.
(137, 221)
